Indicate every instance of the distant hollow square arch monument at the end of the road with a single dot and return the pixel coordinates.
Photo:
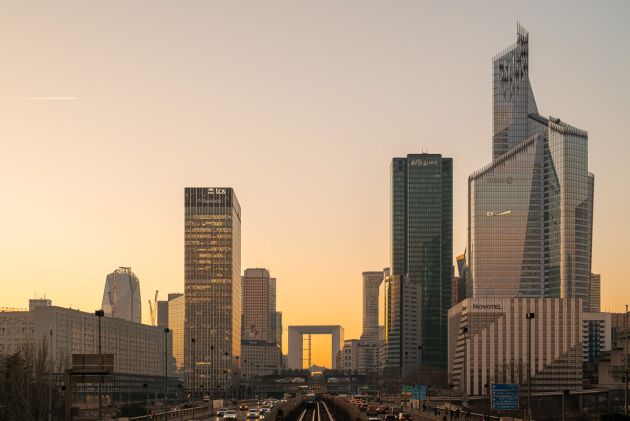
(296, 343)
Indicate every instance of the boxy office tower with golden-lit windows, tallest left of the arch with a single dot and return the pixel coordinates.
(212, 282)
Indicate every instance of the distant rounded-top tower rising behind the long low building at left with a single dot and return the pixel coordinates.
(121, 297)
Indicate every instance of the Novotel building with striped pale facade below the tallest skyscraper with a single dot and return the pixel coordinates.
(488, 337)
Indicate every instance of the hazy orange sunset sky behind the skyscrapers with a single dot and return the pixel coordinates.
(300, 107)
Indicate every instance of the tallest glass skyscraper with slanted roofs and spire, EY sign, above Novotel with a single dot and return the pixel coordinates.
(530, 210)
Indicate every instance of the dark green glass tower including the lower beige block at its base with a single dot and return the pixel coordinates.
(421, 259)
